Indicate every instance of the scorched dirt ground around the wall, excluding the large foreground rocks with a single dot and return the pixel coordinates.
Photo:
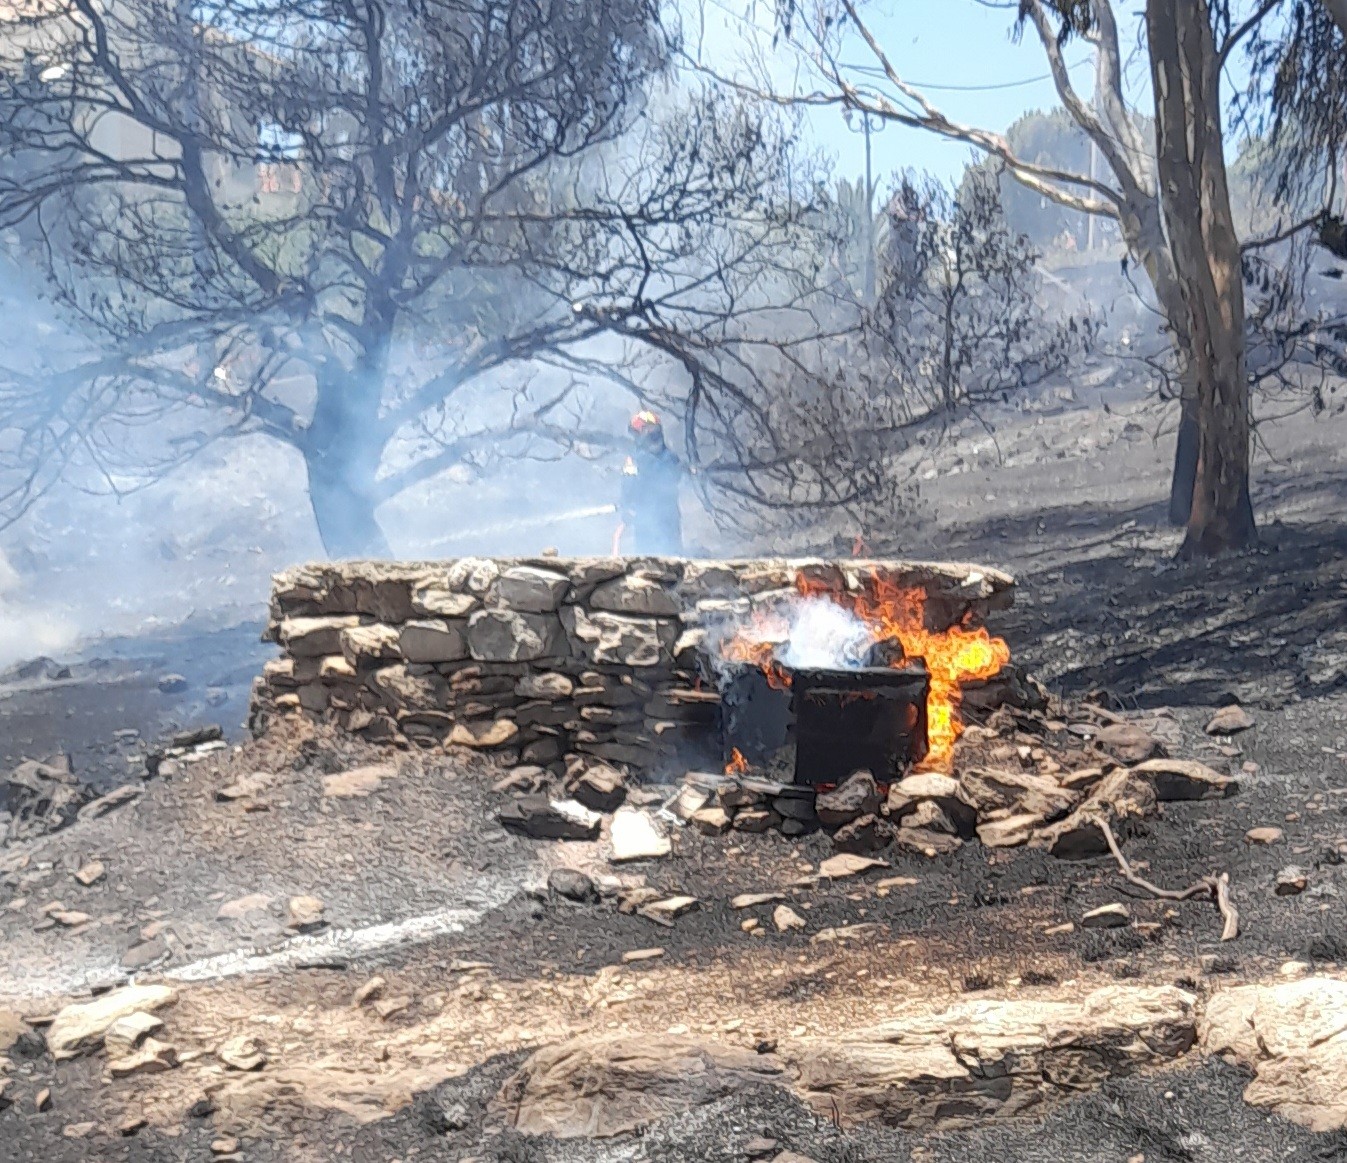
(500, 968)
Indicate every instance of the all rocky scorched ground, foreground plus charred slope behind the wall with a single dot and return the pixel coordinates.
(335, 949)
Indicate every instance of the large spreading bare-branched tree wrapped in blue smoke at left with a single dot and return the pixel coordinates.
(389, 235)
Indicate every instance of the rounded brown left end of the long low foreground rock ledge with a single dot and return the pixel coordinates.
(603, 1087)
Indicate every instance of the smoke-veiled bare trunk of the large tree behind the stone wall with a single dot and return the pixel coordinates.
(343, 451)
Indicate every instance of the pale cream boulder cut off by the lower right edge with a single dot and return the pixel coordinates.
(1294, 1037)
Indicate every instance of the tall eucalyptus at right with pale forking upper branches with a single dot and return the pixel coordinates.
(1134, 192)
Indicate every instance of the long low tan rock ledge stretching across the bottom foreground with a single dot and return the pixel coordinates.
(922, 1071)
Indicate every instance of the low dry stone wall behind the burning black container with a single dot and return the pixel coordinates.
(541, 660)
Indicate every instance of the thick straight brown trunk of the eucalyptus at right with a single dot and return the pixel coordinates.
(1206, 253)
